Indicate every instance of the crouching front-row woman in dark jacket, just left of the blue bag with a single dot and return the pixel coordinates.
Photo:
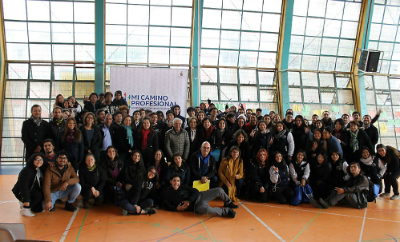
(280, 177)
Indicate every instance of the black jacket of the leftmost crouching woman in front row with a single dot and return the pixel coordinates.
(27, 181)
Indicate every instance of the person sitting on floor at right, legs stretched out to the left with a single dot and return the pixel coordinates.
(354, 192)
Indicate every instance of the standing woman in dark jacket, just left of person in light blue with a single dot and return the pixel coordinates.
(91, 135)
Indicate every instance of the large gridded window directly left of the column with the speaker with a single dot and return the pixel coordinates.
(321, 48)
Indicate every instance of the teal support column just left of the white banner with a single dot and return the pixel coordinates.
(99, 45)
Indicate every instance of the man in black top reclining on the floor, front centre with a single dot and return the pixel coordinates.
(179, 197)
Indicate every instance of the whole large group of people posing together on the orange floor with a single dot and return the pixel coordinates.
(145, 160)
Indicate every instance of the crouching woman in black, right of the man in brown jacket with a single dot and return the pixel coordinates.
(92, 179)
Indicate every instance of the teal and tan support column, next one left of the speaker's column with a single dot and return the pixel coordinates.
(283, 56)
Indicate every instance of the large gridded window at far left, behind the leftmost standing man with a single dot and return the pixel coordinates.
(50, 48)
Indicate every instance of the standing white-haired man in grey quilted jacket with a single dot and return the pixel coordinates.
(177, 140)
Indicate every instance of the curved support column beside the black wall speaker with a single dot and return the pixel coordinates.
(359, 94)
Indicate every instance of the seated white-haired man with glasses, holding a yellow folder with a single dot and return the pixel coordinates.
(202, 165)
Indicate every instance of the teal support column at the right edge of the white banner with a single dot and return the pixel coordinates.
(195, 52)
